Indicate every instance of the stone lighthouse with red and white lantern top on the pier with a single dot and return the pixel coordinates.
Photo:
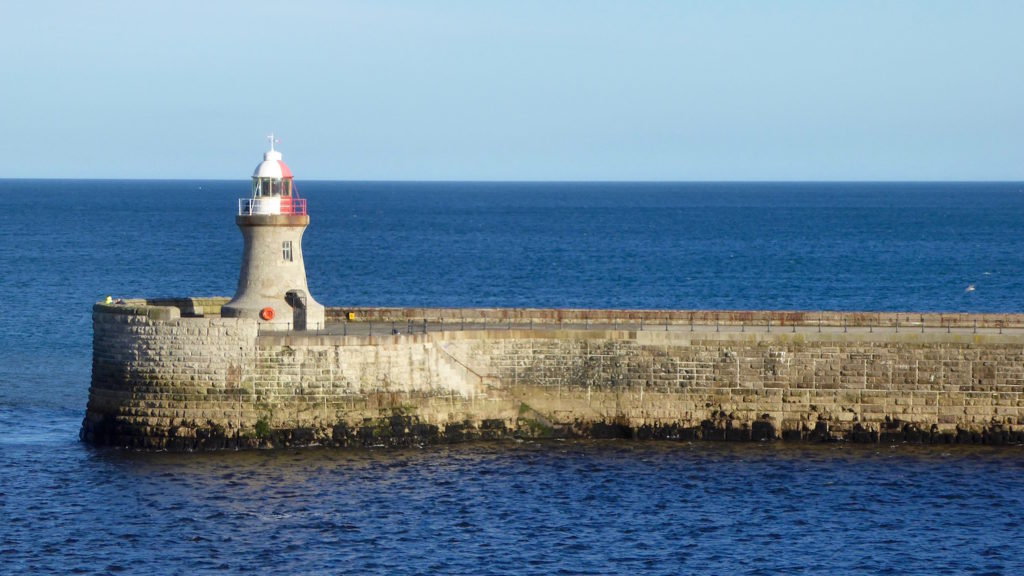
(273, 282)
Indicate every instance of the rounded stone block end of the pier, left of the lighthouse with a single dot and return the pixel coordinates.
(160, 381)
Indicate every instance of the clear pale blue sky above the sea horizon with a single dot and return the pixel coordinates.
(518, 91)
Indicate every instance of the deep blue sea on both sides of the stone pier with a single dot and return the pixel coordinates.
(561, 508)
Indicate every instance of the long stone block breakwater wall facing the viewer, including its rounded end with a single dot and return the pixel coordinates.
(175, 376)
